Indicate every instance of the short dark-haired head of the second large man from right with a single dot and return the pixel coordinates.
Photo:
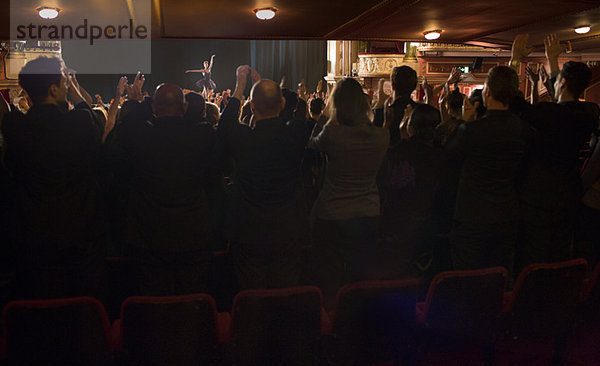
(500, 88)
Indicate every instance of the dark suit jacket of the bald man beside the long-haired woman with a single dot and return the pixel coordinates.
(268, 210)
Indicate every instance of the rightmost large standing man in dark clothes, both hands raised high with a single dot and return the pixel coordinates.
(551, 189)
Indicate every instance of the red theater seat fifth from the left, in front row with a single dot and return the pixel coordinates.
(460, 315)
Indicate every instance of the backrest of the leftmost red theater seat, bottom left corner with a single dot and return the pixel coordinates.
(73, 331)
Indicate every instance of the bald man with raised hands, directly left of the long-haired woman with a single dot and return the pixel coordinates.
(269, 215)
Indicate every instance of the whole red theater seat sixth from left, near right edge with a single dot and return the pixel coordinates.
(539, 312)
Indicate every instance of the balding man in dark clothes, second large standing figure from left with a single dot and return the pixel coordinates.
(170, 164)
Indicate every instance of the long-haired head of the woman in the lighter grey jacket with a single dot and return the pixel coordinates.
(349, 102)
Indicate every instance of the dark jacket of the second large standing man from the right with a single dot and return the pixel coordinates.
(493, 148)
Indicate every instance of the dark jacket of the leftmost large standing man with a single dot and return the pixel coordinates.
(54, 157)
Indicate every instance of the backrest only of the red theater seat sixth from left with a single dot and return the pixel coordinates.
(545, 298)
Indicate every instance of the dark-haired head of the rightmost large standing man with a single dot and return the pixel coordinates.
(572, 80)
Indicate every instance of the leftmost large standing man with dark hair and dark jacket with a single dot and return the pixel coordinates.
(58, 223)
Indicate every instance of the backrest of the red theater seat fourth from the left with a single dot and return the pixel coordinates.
(373, 321)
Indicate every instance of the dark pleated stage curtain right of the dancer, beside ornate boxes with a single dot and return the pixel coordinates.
(297, 60)
